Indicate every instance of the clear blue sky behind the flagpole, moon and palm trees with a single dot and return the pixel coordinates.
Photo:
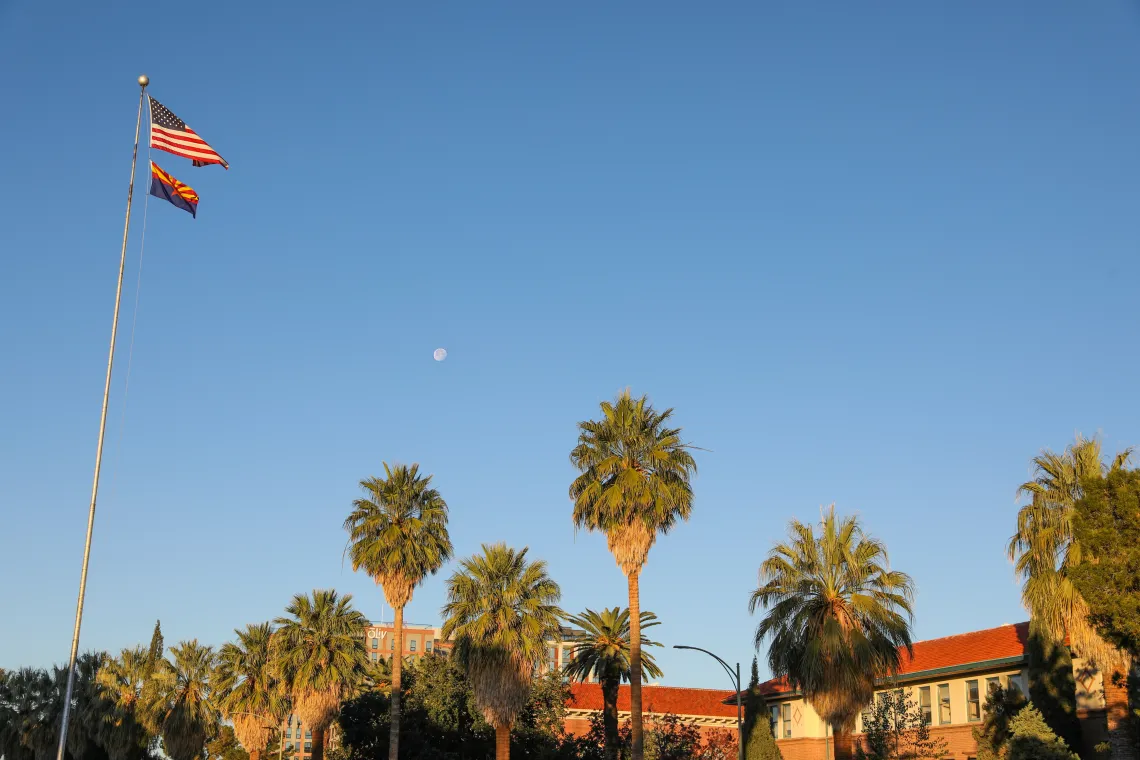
(877, 255)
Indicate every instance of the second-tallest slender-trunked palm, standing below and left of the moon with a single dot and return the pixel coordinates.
(398, 536)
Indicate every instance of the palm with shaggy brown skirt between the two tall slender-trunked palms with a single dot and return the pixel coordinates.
(501, 612)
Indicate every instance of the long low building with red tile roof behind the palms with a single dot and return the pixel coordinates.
(948, 677)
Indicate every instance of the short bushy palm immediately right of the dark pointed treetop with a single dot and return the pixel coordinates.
(185, 700)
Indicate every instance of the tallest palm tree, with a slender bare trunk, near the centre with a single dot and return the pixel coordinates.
(634, 485)
